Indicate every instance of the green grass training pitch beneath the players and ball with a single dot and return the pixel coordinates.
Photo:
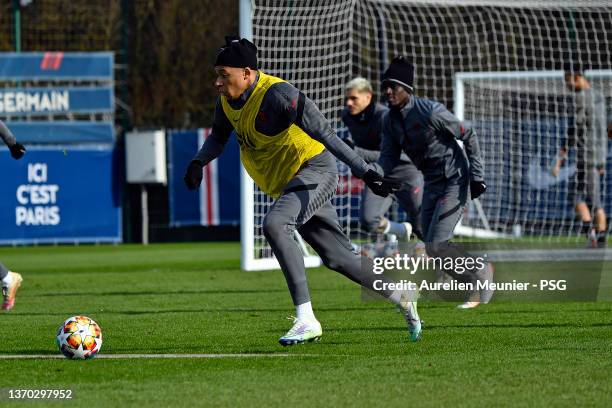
(192, 298)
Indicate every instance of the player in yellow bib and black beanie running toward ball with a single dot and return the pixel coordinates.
(288, 148)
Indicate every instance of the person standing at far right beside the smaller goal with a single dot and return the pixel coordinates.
(587, 134)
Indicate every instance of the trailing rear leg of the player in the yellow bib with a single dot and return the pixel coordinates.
(323, 232)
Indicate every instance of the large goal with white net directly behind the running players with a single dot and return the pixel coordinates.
(320, 45)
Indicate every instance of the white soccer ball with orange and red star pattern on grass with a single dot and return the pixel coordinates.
(79, 338)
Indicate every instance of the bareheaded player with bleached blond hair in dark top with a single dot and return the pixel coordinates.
(364, 118)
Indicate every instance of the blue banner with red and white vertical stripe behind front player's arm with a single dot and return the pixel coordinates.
(217, 202)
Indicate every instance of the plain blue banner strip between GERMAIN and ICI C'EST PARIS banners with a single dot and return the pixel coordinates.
(63, 132)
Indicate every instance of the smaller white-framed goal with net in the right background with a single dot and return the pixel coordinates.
(523, 119)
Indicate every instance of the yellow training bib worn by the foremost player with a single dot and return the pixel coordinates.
(270, 160)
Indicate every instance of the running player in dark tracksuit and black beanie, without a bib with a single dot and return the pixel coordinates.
(428, 133)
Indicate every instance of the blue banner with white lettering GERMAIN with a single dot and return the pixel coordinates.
(31, 101)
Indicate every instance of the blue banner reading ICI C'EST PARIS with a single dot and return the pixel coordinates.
(60, 195)
